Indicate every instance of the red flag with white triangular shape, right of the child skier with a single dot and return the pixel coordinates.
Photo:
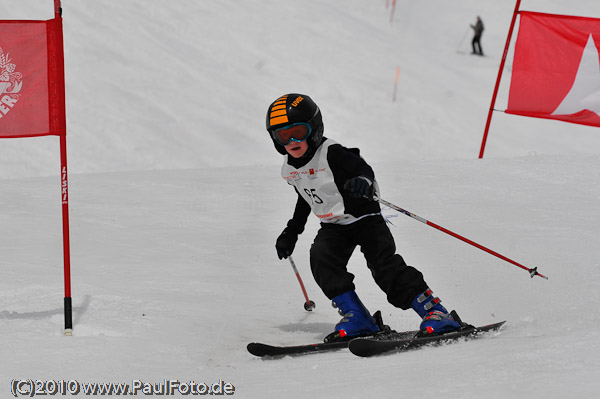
(556, 69)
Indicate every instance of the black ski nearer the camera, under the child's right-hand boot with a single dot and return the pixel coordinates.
(366, 347)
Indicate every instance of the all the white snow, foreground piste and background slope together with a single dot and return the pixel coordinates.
(176, 201)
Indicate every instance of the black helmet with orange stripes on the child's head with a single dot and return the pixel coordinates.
(294, 108)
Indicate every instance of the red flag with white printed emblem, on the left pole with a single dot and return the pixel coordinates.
(31, 79)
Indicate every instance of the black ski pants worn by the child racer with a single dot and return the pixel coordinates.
(333, 246)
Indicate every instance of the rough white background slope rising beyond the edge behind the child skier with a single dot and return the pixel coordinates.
(168, 85)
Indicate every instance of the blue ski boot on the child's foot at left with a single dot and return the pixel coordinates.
(356, 321)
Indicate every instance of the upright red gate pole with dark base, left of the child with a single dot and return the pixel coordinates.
(64, 191)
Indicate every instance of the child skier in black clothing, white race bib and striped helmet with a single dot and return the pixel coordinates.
(338, 186)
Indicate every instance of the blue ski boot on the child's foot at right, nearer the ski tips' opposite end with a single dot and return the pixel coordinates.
(436, 319)
